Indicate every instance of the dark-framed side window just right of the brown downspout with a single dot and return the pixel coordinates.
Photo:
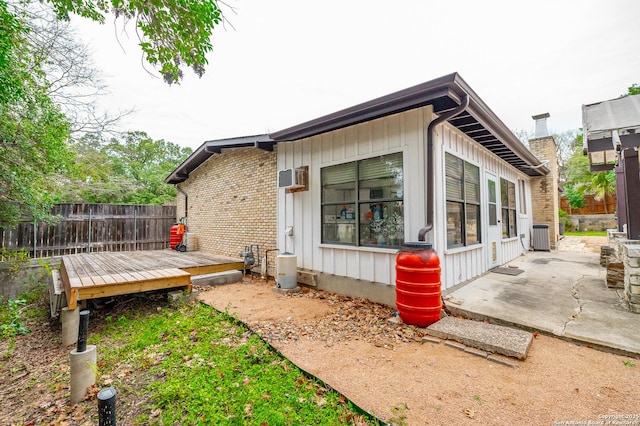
(463, 202)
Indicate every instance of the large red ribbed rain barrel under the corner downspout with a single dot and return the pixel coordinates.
(418, 293)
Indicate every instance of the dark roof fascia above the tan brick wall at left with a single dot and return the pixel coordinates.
(208, 148)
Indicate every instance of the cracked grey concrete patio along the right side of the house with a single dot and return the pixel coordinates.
(561, 293)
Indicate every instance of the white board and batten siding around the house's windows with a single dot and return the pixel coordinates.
(403, 132)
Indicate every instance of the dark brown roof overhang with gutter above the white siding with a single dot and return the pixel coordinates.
(444, 93)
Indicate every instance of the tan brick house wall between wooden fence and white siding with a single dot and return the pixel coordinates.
(232, 201)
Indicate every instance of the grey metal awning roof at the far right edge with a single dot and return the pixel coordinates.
(608, 128)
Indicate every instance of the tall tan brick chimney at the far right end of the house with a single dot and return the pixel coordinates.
(544, 190)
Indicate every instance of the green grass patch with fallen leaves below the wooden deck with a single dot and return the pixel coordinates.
(194, 365)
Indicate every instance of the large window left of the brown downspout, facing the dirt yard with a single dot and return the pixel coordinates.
(362, 202)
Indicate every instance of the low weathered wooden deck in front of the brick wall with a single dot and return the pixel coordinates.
(93, 275)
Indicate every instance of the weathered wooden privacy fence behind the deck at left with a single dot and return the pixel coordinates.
(85, 228)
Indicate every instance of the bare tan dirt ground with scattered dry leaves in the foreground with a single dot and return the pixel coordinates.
(386, 370)
